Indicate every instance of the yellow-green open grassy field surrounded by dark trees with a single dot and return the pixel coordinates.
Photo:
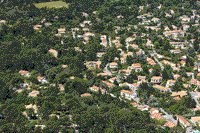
(55, 4)
